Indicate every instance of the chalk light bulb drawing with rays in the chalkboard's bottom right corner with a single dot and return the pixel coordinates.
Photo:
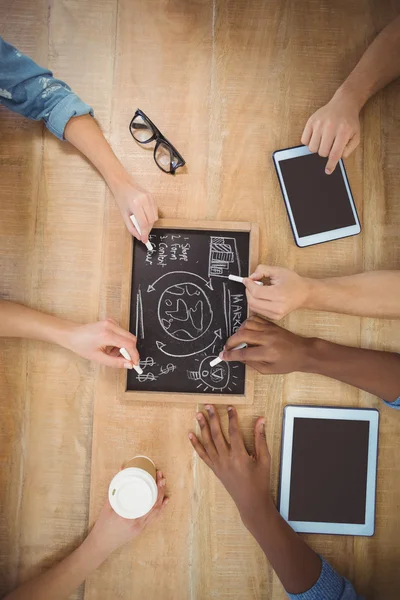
(215, 378)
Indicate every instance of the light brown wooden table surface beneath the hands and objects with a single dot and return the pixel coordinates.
(229, 82)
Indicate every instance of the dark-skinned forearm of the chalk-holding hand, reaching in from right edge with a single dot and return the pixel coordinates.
(373, 371)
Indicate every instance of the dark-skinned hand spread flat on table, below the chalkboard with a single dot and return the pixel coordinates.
(245, 476)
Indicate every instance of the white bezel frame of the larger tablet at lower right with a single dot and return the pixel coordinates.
(314, 412)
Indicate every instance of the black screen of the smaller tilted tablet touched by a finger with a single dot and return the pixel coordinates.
(319, 202)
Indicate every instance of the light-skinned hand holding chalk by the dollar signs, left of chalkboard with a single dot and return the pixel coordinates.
(101, 342)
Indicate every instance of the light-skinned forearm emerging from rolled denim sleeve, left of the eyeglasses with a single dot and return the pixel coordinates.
(85, 134)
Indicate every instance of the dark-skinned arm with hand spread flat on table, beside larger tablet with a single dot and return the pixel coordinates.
(246, 478)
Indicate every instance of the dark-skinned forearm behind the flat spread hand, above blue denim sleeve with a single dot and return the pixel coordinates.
(297, 566)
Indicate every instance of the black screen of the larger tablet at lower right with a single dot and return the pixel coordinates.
(329, 471)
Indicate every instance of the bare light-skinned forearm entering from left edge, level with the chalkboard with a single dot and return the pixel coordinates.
(19, 321)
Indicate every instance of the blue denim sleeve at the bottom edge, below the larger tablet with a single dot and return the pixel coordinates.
(330, 586)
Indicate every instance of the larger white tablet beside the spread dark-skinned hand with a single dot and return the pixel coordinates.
(328, 469)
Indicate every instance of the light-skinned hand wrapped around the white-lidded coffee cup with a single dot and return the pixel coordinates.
(112, 531)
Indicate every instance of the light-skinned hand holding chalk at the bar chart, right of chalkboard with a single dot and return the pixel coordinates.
(287, 291)
